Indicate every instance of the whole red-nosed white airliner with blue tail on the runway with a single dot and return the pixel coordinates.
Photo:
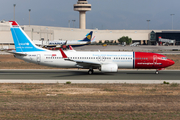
(104, 61)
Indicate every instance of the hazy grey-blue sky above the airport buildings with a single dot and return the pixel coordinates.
(105, 14)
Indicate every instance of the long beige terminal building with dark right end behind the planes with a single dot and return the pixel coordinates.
(44, 34)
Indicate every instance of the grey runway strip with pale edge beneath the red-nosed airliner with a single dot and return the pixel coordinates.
(81, 76)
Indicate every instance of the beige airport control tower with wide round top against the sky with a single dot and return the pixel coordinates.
(82, 6)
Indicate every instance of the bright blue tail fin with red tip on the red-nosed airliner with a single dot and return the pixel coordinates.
(22, 42)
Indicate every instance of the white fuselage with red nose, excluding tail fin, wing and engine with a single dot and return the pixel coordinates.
(129, 60)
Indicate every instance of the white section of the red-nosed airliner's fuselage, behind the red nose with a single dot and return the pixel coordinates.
(55, 59)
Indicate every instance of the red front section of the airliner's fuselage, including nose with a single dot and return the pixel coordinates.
(145, 60)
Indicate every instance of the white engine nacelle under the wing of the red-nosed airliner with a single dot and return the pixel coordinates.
(109, 68)
